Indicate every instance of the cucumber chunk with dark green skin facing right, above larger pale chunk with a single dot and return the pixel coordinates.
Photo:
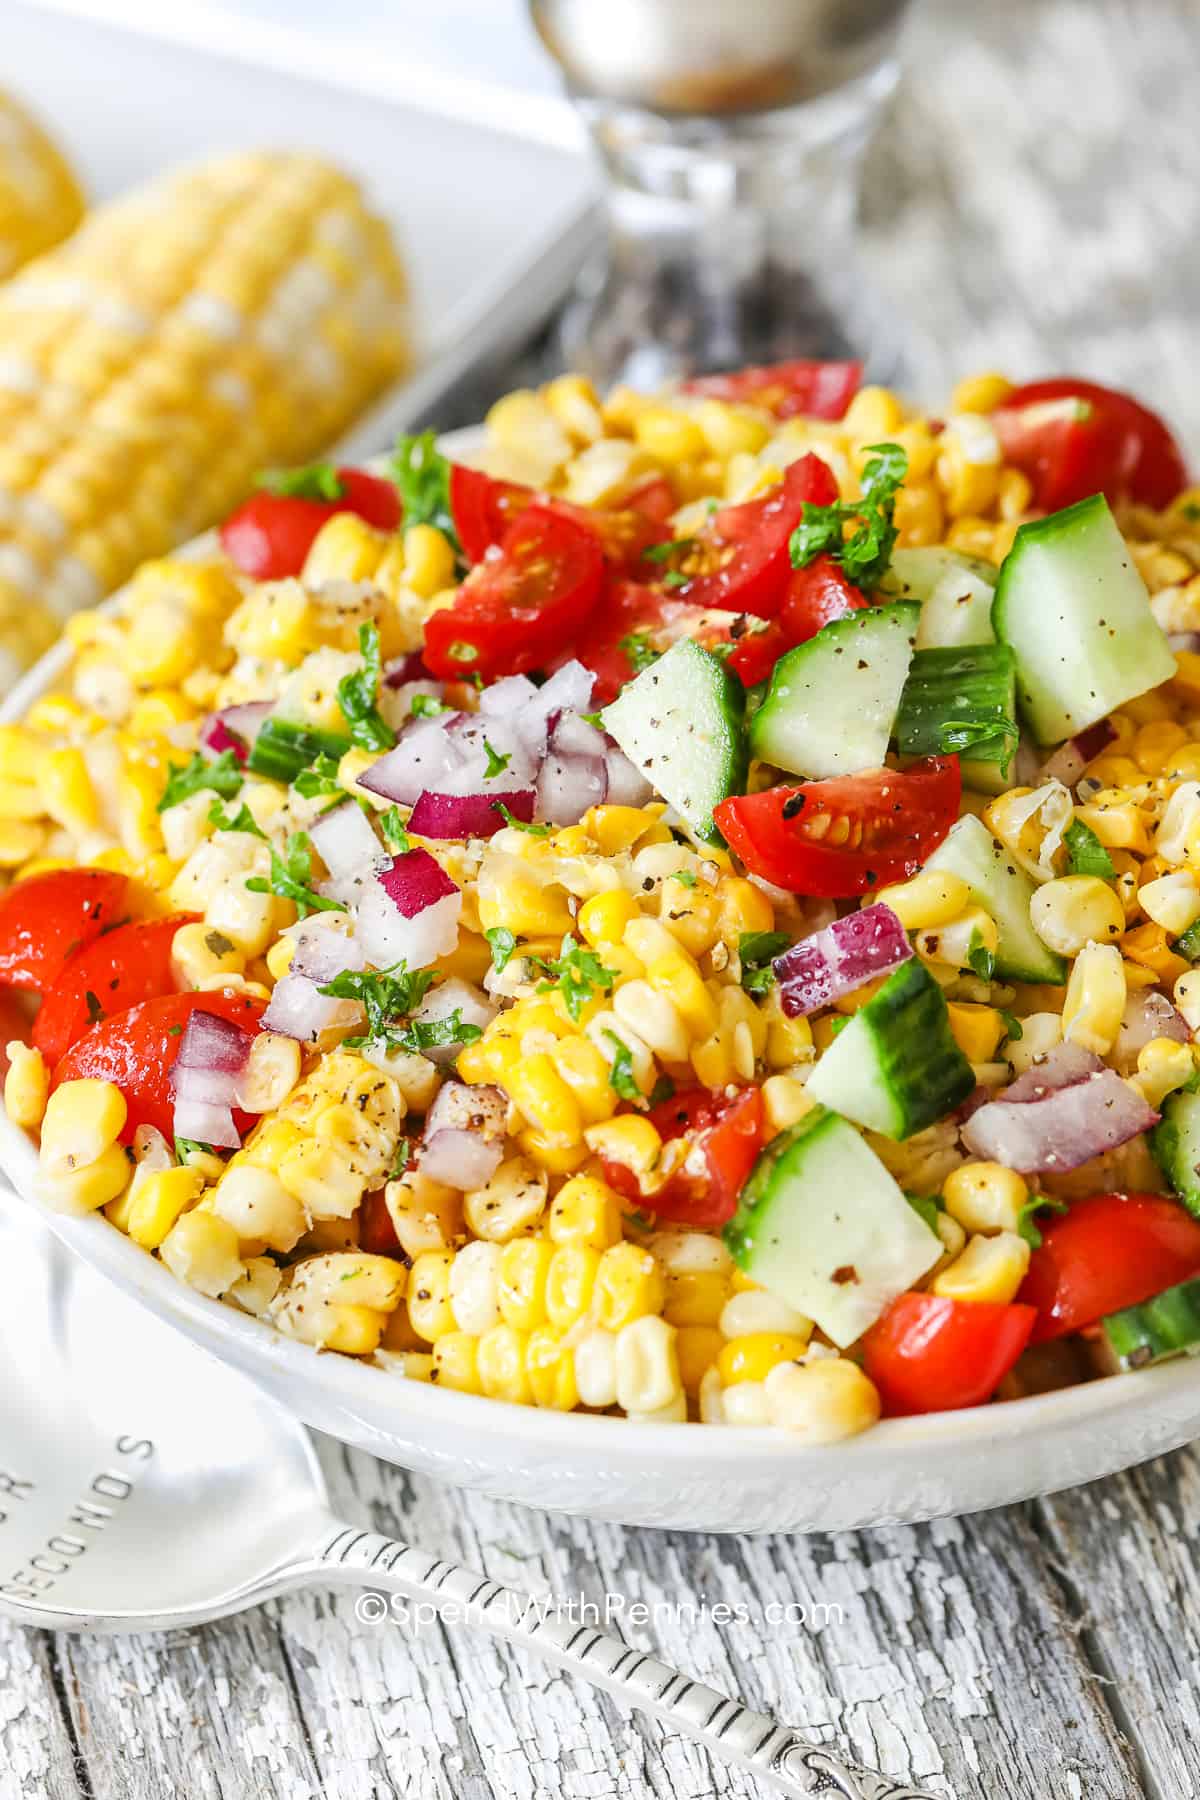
(895, 1066)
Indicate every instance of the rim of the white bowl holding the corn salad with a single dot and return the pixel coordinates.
(361, 1387)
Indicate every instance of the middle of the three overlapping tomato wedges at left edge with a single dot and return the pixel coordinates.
(121, 969)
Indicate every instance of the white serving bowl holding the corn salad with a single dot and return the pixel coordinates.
(728, 1479)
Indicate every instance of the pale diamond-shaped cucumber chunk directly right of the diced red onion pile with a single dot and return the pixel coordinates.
(683, 724)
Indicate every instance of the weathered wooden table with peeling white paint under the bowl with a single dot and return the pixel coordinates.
(1034, 204)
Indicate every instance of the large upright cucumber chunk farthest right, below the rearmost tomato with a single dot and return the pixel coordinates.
(1077, 613)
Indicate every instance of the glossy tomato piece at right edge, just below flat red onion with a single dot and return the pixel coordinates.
(1109, 1252)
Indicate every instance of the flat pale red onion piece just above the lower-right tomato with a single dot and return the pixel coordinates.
(1064, 1129)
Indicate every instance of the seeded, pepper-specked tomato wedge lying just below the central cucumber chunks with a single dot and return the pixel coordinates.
(895, 820)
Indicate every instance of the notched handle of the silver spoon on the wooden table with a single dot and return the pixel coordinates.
(751, 1740)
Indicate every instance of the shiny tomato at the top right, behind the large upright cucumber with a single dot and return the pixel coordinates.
(1075, 438)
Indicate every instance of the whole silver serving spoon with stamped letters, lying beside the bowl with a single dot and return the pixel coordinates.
(145, 1486)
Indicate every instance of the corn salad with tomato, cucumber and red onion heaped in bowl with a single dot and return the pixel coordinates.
(524, 1189)
